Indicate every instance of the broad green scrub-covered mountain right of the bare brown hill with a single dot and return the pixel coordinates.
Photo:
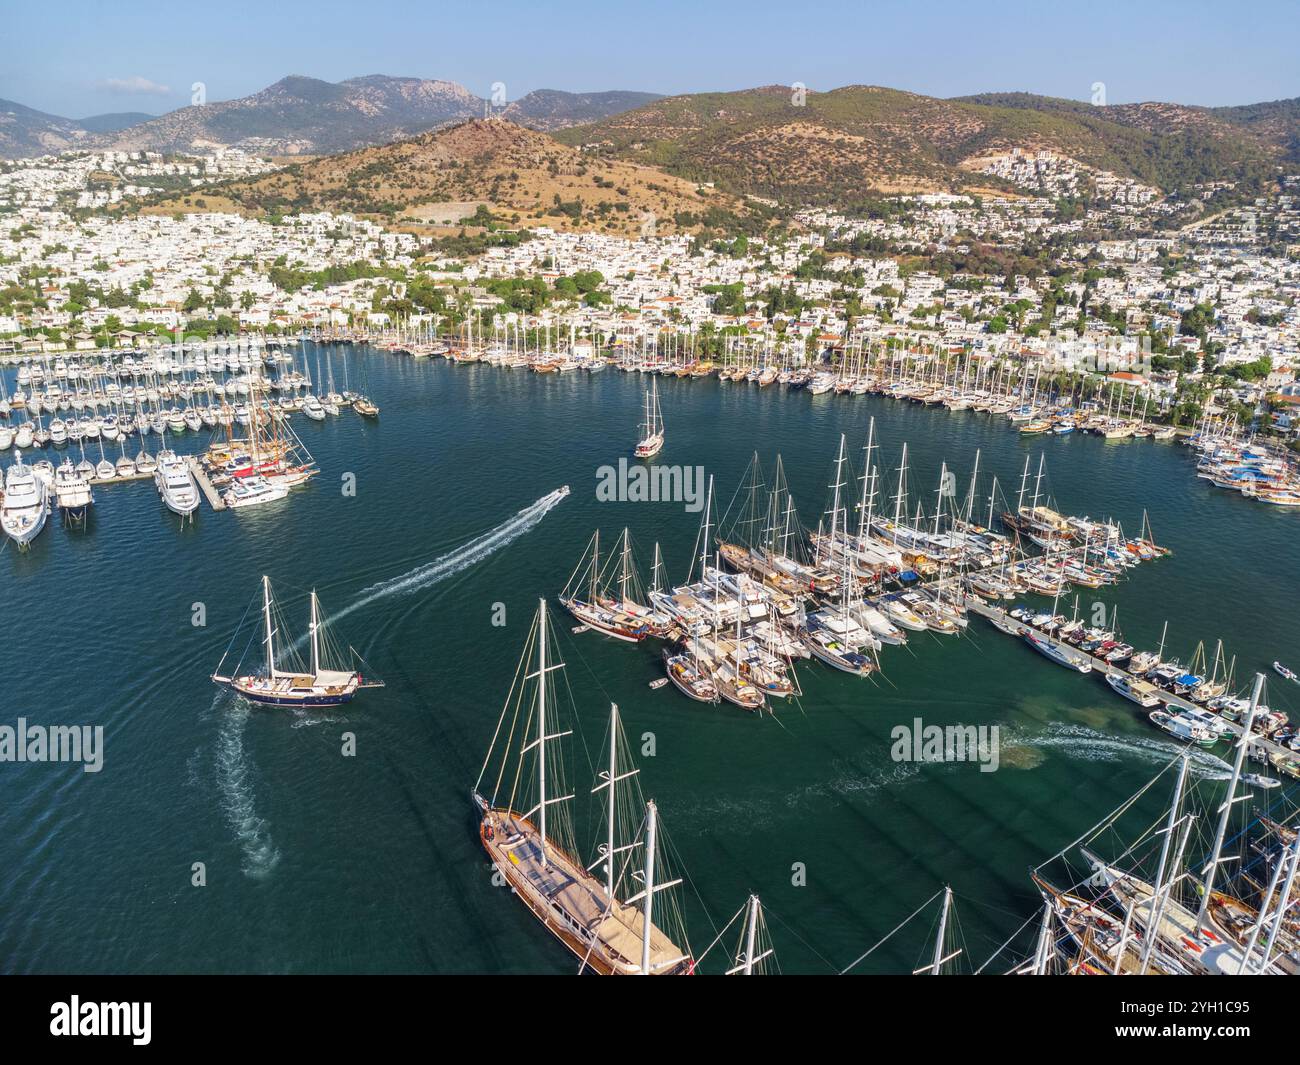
(861, 140)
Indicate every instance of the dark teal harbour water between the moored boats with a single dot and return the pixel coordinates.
(322, 863)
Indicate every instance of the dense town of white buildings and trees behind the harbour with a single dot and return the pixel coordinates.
(1206, 317)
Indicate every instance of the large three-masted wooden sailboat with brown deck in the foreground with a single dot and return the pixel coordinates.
(612, 933)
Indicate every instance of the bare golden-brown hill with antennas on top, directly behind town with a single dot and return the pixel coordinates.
(523, 176)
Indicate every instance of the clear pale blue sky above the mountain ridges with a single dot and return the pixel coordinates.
(79, 58)
